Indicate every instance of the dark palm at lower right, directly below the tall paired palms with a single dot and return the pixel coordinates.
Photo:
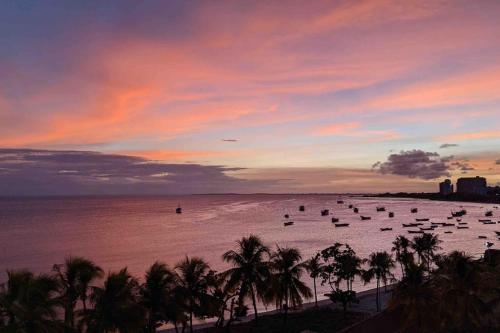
(415, 301)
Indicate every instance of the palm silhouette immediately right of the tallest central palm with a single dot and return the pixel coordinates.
(287, 288)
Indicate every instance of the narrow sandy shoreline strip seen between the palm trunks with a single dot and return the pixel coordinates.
(365, 297)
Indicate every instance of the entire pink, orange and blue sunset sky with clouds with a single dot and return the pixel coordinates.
(247, 96)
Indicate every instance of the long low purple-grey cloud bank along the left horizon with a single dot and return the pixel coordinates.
(44, 172)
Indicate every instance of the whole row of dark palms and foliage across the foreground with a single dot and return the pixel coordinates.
(437, 293)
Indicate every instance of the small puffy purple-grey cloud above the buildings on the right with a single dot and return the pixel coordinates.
(415, 164)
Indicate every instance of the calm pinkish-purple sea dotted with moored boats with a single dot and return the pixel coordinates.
(136, 231)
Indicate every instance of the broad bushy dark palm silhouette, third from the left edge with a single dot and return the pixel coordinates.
(115, 305)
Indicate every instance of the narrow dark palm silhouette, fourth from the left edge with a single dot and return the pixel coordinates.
(156, 294)
